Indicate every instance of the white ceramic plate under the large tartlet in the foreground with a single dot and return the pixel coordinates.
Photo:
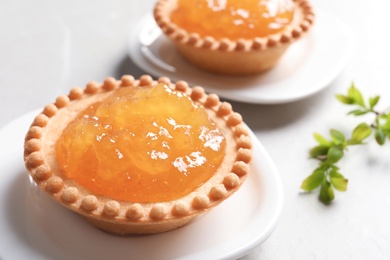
(33, 226)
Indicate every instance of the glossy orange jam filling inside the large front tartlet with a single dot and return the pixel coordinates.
(145, 144)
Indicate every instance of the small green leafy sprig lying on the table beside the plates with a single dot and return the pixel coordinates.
(328, 152)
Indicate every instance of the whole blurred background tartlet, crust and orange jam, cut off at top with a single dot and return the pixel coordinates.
(233, 37)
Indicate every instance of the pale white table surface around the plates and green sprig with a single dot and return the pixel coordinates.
(47, 47)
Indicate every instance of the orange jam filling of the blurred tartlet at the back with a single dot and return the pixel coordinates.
(233, 19)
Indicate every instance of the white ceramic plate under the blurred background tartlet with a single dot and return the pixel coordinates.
(307, 67)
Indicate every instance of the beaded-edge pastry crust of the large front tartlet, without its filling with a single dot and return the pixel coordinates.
(124, 216)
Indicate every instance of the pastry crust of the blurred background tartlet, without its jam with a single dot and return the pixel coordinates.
(224, 55)
